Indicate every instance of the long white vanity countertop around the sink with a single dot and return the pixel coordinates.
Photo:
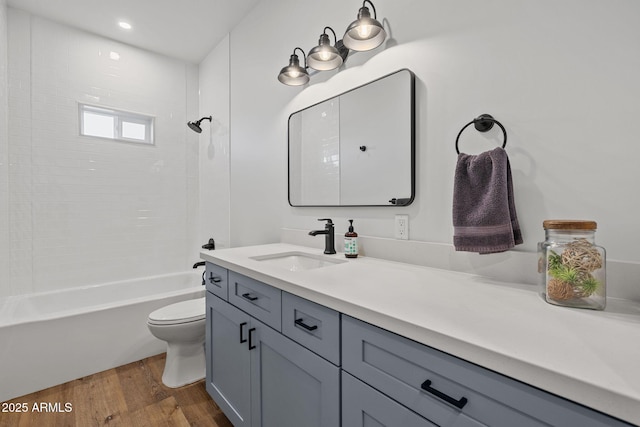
(590, 357)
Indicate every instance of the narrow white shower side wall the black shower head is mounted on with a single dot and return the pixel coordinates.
(214, 147)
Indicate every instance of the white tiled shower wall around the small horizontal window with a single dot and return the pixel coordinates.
(86, 210)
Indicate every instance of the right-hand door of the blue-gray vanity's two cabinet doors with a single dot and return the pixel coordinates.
(291, 386)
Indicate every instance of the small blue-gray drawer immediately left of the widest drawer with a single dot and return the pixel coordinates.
(312, 325)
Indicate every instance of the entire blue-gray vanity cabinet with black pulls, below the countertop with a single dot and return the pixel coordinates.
(277, 360)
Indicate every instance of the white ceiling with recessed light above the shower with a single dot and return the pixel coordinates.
(184, 29)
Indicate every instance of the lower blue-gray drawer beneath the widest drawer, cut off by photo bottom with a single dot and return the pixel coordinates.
(363, 406)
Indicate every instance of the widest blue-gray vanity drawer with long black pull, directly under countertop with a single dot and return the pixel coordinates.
(446, 390)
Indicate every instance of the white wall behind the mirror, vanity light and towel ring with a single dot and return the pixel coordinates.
(560, 76)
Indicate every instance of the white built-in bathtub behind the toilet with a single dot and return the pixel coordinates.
(50, 338)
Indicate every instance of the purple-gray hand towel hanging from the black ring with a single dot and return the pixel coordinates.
(484, 213)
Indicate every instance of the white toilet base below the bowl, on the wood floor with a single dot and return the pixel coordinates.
(185, 364)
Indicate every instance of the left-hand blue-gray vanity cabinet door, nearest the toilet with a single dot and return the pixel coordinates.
(228, 360)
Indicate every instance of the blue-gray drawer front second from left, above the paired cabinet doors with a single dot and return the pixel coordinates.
(262, 301)
